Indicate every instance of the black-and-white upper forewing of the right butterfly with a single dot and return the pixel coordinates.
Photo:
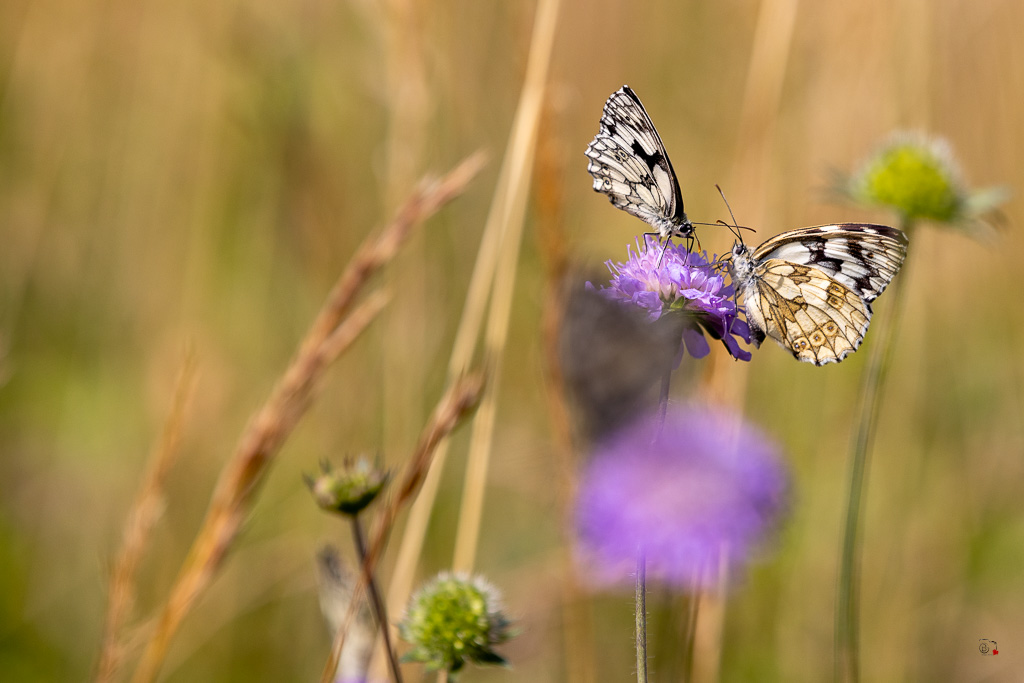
(863, 258)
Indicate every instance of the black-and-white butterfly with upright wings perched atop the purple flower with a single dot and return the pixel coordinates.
(630, 165)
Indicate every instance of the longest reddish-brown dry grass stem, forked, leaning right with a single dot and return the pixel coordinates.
(267, 433)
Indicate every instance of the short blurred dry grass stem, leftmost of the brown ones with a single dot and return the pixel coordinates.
(143, 517)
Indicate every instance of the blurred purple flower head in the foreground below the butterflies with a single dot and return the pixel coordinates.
(696, 498)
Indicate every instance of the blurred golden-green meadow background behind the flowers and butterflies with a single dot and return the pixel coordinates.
(192, 178)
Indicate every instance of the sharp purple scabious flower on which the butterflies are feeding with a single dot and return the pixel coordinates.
(686, 284)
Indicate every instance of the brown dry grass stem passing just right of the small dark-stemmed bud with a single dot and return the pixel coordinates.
(461, 399)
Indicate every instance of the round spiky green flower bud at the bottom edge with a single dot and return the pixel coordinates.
(453, 620)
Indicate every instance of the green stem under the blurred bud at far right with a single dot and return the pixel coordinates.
(847, 656)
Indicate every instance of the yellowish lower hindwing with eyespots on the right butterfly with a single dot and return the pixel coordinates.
(814, 316)
